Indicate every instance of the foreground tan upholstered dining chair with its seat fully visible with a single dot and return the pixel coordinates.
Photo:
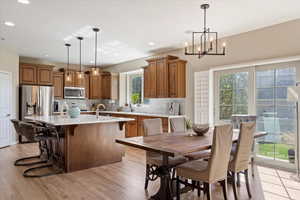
(211, 171)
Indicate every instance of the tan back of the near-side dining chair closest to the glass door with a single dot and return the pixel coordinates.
(244, 146)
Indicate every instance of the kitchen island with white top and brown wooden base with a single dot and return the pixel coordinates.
(87, 141)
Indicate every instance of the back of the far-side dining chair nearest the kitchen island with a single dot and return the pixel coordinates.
(152, 126)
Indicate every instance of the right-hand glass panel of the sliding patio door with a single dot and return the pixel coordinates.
(275, 114)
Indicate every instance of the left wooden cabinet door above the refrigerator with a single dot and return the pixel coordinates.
(28, 74)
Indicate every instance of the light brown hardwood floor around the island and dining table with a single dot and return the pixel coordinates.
(119, 181)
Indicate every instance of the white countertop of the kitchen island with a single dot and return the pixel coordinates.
(58, 120)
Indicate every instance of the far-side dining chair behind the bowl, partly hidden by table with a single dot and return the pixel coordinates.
(178, 124)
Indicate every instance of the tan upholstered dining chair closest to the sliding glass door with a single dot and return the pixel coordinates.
(240, 161)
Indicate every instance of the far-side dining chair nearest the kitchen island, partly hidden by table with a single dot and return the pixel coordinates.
(154, 127)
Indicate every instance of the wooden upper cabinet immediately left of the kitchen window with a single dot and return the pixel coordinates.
(110, 86)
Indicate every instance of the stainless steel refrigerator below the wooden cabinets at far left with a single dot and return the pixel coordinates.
(35, 100)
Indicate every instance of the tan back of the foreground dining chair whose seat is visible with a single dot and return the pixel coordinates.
(220, 152)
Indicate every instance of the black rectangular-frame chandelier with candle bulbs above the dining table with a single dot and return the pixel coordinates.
(206, 42)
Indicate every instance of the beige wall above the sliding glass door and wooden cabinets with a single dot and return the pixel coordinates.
(271, 42)
